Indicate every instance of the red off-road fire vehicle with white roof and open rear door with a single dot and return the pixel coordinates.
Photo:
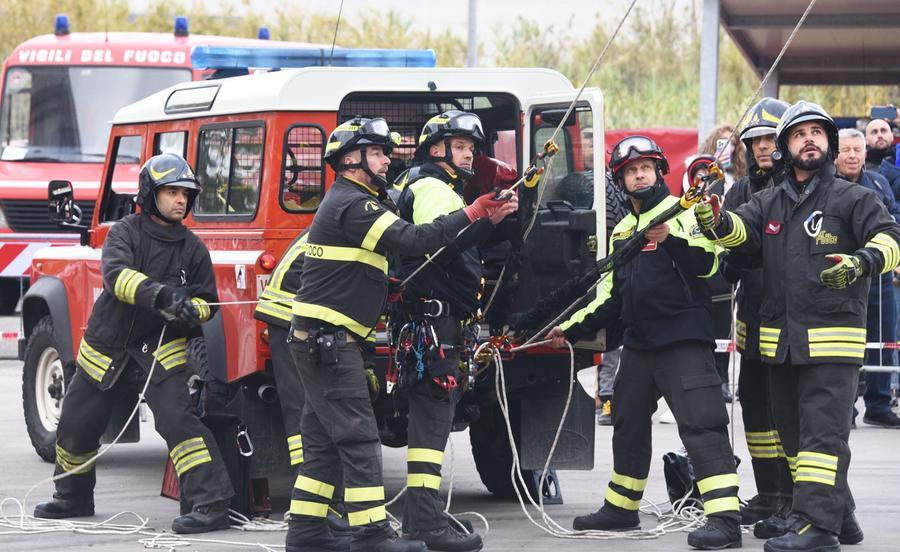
(256, 143)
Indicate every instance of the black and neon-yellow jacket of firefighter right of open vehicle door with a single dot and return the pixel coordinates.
(661, 296)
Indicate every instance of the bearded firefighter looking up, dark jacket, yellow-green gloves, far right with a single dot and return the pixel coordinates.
(820, 239)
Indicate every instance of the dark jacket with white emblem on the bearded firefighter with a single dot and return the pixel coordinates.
(792, 228)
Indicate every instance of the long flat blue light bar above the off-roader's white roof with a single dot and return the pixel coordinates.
(228, 57)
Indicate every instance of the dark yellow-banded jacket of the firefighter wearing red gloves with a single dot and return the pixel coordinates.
(344, 281)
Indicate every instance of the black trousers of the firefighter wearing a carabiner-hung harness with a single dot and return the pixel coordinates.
(431, 411)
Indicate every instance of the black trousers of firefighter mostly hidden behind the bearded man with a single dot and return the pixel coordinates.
(770, 468)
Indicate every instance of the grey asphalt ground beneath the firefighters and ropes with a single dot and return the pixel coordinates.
(130, 477)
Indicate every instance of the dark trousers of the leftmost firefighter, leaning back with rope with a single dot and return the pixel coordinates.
(202, 475)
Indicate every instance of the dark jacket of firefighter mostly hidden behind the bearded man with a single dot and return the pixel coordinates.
(741, 267)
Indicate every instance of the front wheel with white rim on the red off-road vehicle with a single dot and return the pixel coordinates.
(44, 382)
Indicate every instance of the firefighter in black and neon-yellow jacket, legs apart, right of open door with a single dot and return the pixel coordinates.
(662, 300)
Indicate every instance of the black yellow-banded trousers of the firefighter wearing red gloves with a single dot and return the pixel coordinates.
(339, 432)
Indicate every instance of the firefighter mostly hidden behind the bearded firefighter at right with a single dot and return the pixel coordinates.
(770, 468)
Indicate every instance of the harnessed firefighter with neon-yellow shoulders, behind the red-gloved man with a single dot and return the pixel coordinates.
(445, 297)
